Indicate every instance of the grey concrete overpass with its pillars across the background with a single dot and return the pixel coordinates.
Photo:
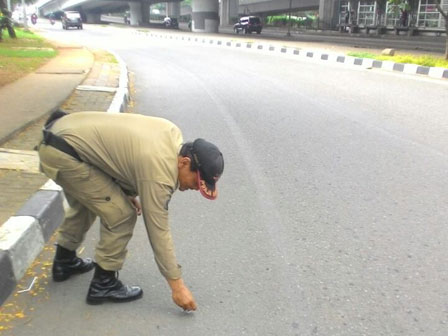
(207, 15)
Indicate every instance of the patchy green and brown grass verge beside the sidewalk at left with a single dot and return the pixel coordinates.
(23, 55)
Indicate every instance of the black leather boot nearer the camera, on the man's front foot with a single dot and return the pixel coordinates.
(105, 286)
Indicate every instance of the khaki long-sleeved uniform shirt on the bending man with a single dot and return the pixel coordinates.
(141, 154)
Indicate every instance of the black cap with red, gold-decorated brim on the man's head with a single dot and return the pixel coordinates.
(209, 162)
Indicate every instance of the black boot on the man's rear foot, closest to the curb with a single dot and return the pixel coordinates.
(66, 264)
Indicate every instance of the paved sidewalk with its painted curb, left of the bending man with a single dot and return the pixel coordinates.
(31, 206)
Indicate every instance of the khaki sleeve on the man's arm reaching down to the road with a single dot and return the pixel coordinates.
(154, 198)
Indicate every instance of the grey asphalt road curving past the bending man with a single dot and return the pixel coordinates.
(331, 218)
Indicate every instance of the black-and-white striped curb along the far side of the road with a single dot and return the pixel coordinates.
(367, 63)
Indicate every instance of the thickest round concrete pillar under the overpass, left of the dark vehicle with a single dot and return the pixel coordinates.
(205, 16)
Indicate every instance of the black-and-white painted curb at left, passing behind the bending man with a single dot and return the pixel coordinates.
(23, 236)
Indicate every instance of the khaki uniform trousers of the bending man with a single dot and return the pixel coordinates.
(91, 193)
